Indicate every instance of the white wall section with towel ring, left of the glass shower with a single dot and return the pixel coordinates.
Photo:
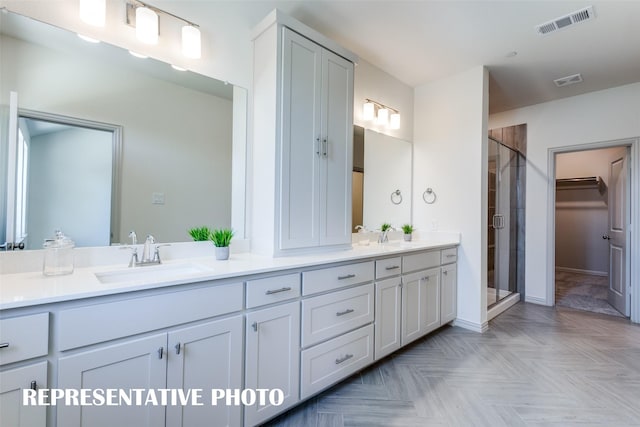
(450, 156)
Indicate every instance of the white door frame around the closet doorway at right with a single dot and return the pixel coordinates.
(634, 202)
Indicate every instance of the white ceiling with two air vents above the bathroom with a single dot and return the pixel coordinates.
(422, 41)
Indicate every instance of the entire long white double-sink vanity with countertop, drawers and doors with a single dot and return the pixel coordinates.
(300, 324)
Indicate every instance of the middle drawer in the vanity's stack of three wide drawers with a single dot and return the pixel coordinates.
(327, 316)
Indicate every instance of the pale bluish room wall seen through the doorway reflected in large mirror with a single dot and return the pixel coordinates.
(58, 199)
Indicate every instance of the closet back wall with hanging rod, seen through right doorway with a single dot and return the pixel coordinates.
(582, 214)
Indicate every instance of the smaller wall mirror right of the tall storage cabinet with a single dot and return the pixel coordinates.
(386, 169)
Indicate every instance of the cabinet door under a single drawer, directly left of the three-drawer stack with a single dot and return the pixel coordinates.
(272, 358)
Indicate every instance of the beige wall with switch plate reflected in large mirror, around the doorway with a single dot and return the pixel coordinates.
(176, 141)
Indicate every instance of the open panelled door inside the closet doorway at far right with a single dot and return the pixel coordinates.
(618, 292)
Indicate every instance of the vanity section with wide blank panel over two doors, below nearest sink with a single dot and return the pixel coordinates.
(138, 345)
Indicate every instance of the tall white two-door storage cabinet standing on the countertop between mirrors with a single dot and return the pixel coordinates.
(303, 139)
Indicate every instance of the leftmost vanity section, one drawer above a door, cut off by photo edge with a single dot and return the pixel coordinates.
(23, 338)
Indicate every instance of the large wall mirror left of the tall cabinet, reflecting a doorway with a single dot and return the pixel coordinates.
(106, 142)
